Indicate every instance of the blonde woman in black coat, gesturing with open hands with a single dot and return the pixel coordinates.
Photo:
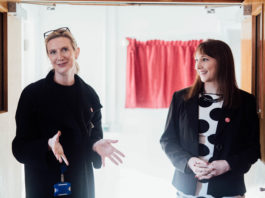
(59, 133)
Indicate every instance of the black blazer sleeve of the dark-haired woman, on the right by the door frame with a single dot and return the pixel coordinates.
(250, 152)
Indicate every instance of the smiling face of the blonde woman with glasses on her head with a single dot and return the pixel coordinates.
(62, 56)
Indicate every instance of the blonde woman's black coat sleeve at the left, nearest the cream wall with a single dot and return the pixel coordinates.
(28, 147)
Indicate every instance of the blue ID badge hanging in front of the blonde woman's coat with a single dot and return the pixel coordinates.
(62, 188)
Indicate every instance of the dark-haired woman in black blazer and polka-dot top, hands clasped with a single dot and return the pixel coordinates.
(212, 129)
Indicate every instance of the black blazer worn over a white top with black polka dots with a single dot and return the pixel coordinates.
(236, 141)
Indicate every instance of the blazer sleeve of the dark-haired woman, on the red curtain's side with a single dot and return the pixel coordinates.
(170, 138)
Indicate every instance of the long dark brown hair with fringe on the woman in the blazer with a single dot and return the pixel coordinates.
(226, 79)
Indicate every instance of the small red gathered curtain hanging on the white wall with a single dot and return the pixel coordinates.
(156, 69)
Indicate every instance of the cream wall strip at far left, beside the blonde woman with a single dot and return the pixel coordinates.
(10, 170)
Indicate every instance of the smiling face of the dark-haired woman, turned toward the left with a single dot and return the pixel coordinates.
(206, 67)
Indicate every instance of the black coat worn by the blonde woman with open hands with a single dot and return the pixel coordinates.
(44, 108)
